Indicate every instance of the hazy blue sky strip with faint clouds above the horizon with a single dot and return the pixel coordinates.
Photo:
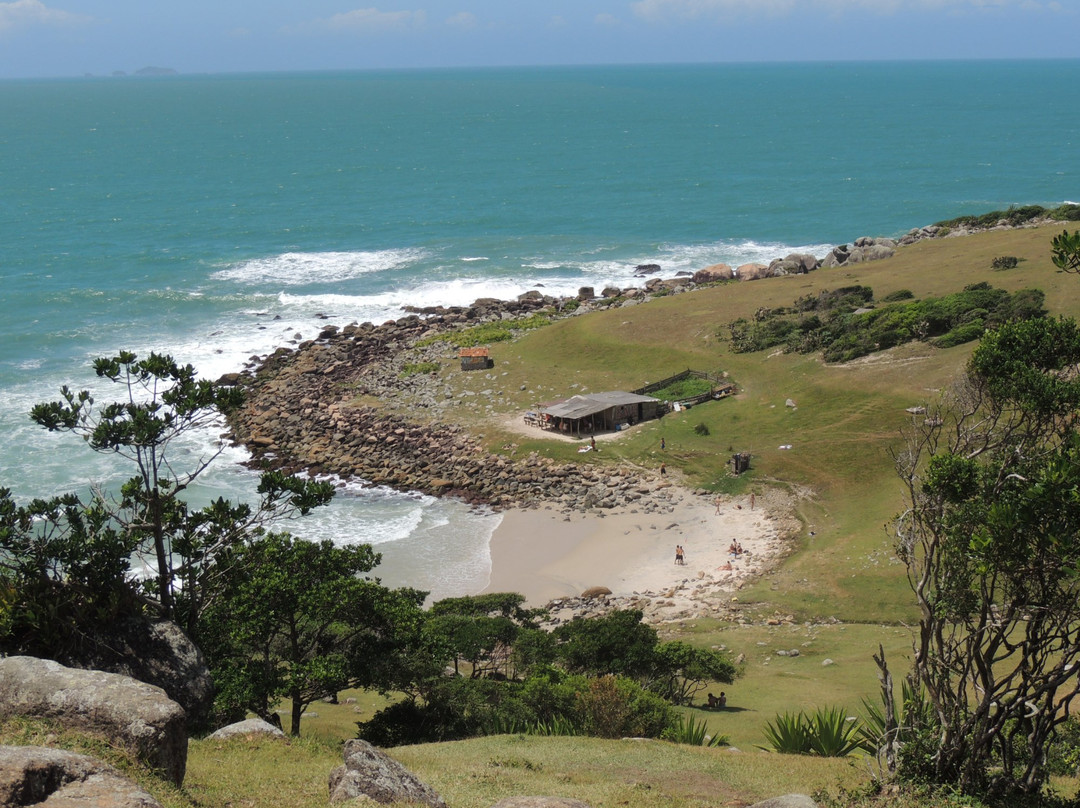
(58, 38)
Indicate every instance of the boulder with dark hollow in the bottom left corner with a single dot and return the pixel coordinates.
(33, 776)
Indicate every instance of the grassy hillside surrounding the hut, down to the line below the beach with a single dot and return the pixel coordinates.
(846, 421)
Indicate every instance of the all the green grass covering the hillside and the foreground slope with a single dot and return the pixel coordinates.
(835, 599)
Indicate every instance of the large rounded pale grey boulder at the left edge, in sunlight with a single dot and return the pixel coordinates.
(136, 715)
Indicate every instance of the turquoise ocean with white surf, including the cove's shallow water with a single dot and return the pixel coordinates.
(218, 218)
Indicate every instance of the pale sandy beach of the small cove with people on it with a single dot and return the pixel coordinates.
(549, 555)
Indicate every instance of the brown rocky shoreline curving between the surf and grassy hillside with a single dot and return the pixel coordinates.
(305, 410)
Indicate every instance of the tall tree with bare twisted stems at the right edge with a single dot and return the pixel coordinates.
(992, 544)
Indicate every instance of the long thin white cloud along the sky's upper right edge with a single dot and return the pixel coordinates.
(668, 10)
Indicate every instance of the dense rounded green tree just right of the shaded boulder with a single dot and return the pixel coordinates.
(299, 622)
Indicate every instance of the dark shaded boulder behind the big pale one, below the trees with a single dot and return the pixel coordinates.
(158, 653)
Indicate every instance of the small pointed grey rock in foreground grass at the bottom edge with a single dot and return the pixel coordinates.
(369, 773)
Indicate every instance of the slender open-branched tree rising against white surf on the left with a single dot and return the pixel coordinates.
(163, 402)
